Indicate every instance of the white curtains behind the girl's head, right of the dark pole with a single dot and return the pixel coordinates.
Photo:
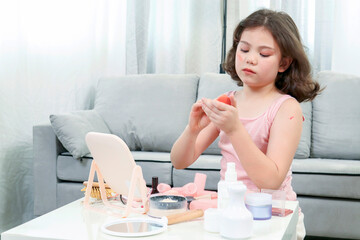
(326, 26)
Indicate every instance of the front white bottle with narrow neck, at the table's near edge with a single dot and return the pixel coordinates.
(236, 220)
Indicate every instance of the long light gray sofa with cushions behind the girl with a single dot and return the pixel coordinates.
(150, 111)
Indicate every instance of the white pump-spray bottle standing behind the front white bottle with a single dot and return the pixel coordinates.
(230, 179)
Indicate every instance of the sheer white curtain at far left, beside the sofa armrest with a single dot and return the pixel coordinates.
(51, 55)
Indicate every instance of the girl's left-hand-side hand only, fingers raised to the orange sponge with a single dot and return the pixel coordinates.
(198, 119)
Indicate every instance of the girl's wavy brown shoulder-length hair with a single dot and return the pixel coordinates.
(296, 80)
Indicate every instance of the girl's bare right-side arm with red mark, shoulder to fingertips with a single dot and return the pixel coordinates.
(265, 170)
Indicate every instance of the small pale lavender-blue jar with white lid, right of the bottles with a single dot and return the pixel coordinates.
(260, 205)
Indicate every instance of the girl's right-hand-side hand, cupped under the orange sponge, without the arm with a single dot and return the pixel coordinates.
(223, 116)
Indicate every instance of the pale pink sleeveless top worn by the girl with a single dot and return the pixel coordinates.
(259, 130)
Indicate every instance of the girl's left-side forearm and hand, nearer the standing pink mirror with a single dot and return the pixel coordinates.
(197, 136)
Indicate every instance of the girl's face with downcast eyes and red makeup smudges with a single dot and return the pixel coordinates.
(258, 58)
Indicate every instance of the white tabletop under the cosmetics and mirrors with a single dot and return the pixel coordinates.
(73, 221)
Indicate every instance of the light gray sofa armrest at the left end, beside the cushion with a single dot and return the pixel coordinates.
(46, 149)
